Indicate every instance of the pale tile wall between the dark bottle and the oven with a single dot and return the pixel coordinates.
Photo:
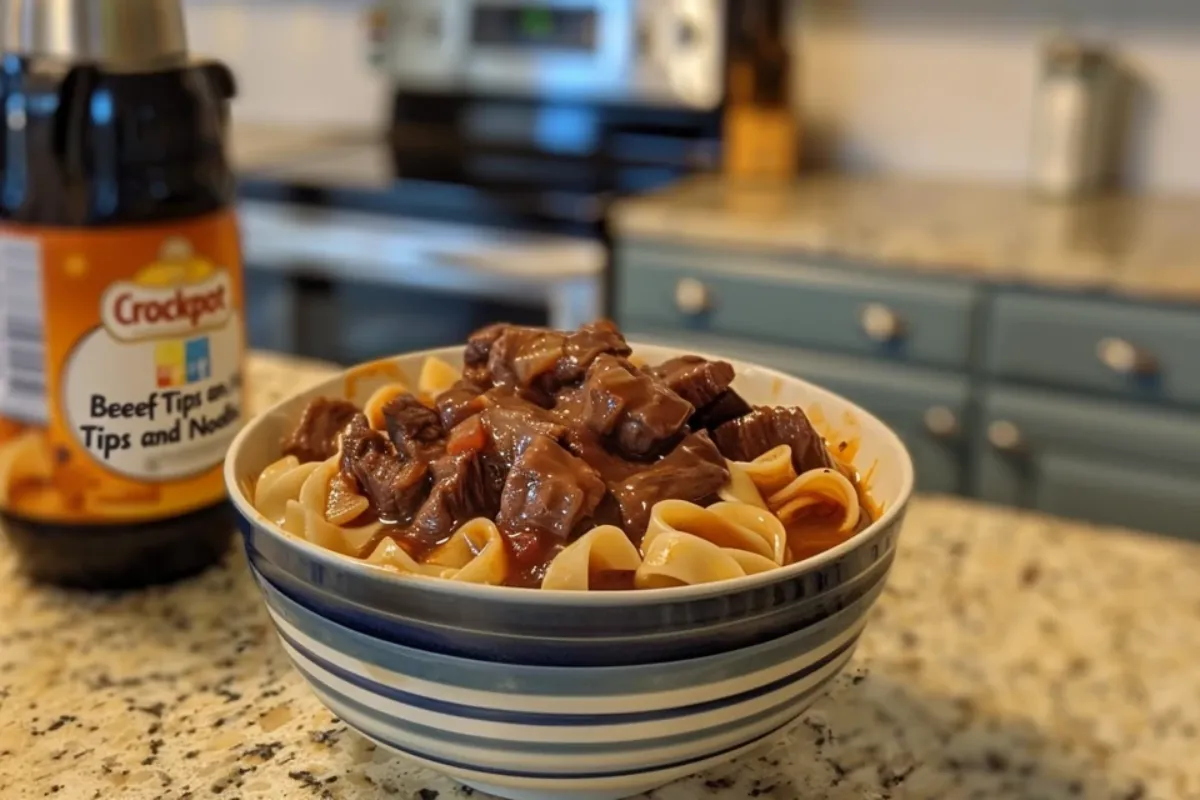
(298, 62)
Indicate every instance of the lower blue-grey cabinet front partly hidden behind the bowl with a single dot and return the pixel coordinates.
(929, 411)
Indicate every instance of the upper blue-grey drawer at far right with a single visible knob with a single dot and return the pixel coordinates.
(1135, 352)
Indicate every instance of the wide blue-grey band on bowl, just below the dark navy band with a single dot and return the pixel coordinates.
(562, 682)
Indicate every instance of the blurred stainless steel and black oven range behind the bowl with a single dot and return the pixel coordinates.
(513, 128)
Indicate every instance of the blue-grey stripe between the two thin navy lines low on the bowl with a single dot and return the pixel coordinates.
(511, 749)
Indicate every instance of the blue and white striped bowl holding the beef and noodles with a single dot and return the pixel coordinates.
(532, 695)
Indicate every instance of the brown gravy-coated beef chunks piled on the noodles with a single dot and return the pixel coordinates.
(551, 434)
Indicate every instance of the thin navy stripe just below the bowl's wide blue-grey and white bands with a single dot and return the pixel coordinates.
(508, 717)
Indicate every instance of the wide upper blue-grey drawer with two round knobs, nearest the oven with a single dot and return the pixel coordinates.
(773, 300)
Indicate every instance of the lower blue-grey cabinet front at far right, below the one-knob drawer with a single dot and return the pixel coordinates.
(1102, 461)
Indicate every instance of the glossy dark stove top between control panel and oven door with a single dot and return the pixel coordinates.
(514, 164)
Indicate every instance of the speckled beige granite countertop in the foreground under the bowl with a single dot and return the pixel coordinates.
(1012, 657)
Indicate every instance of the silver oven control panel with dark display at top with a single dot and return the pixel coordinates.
(659, 52)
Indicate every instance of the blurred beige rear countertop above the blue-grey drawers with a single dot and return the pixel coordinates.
(1145, 248)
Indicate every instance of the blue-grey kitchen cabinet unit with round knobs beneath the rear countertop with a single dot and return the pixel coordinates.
(1076, 405)
